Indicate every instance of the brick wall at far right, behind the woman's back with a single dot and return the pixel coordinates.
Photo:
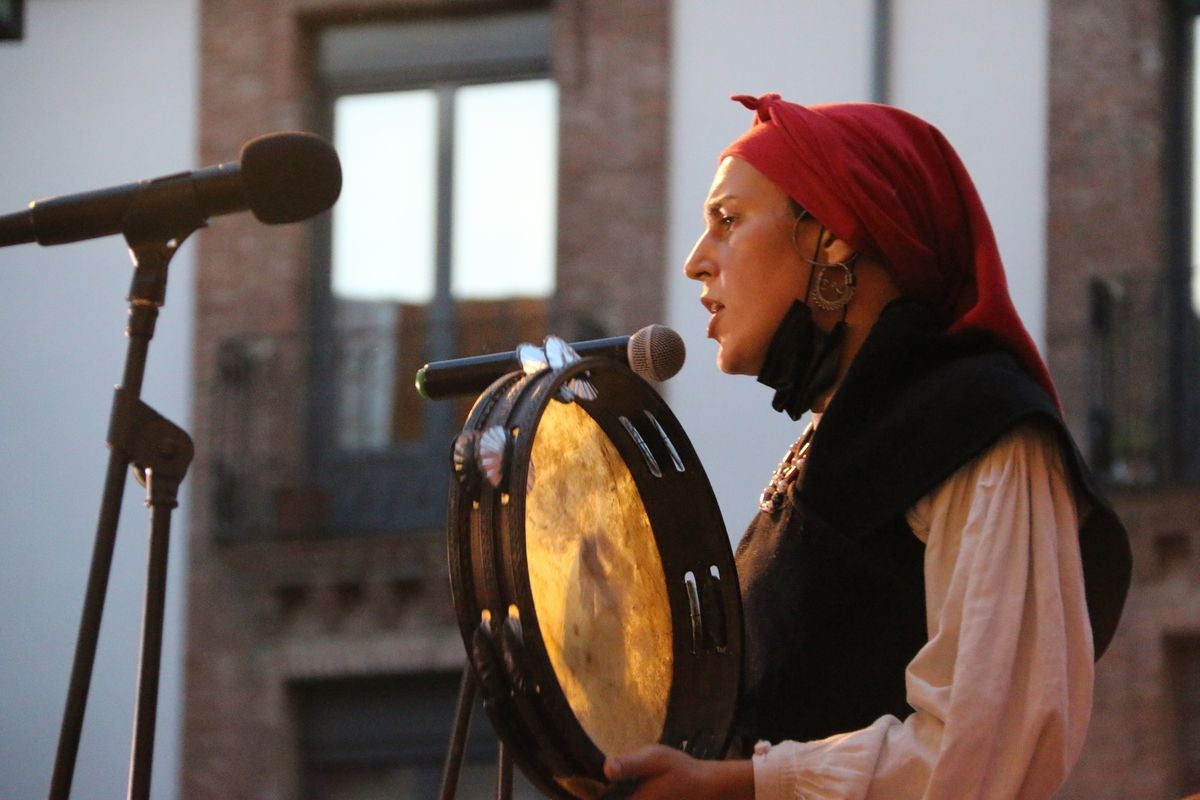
(1109, 139)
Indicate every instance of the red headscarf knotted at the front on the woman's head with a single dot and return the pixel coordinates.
(891, 187)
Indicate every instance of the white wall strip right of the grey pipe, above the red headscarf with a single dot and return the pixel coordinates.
(979, 71)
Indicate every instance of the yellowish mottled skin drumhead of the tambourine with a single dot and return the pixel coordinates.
(597, 581)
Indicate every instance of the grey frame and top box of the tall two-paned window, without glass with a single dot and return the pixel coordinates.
(327, 465)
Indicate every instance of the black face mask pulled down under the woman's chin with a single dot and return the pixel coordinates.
(802, 360)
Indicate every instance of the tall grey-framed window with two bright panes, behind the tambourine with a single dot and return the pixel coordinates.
(442, 244)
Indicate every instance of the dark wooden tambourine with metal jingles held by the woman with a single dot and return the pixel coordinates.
(593, 579)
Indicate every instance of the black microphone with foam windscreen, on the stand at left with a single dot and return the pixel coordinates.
(285, 177)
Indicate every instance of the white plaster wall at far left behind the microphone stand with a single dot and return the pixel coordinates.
(98, 94)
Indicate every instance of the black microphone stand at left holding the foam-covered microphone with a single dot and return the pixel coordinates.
(160, 454)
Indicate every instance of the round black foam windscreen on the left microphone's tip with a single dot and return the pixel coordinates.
(290, 177)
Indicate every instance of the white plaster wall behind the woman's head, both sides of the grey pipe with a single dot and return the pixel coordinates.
(976, 69)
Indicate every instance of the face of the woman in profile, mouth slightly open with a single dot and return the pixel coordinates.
(748, 264)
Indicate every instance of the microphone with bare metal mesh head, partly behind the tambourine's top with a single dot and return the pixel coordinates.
(655, 353)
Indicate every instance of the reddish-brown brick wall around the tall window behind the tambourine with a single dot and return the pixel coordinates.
(267, 612)
